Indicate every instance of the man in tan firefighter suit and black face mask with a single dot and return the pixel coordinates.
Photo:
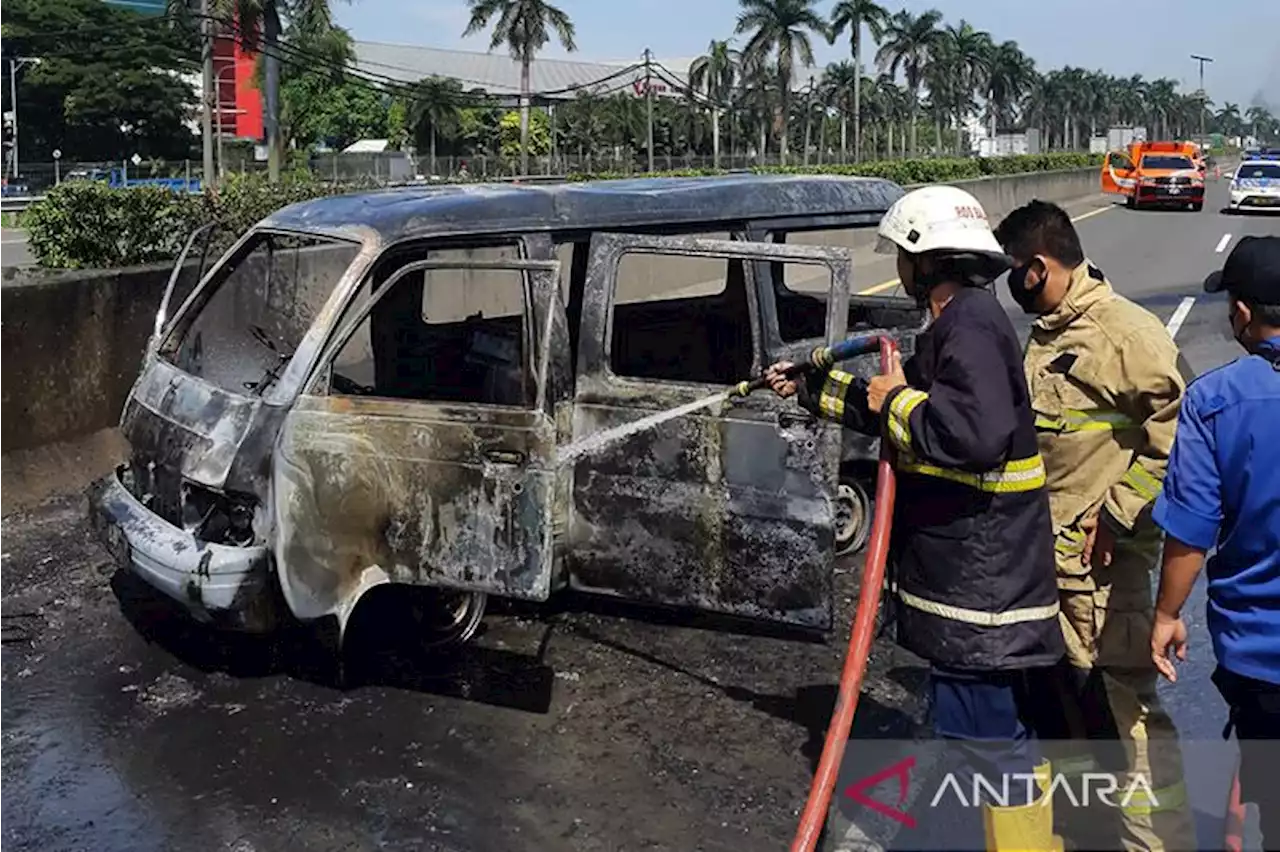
(1105, 386)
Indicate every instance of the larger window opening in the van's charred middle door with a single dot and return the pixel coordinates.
(682, 319)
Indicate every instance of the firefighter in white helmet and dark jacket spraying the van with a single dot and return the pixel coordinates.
(972, 549)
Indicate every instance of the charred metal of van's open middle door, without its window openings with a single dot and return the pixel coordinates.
(767, 548)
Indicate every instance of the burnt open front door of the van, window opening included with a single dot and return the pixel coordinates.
(423, 450)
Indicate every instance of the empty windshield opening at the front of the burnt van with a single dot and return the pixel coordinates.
(255, 313)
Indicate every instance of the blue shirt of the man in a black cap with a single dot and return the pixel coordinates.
(1223, 491)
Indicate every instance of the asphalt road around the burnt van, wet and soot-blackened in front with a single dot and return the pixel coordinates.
(124, 727)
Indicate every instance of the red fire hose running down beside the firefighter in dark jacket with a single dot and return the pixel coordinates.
(860, 644)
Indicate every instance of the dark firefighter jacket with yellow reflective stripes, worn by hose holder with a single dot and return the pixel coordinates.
(972, 547)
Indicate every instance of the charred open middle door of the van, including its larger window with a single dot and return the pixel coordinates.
(726, 509)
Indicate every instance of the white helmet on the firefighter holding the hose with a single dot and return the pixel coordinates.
(939, 218)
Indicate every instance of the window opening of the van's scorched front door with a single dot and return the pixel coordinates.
(456, 336)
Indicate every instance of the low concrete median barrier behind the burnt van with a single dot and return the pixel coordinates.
(72, 345)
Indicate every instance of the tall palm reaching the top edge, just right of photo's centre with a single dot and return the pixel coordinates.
(781, 29)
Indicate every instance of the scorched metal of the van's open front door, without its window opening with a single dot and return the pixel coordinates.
(514, 487)
